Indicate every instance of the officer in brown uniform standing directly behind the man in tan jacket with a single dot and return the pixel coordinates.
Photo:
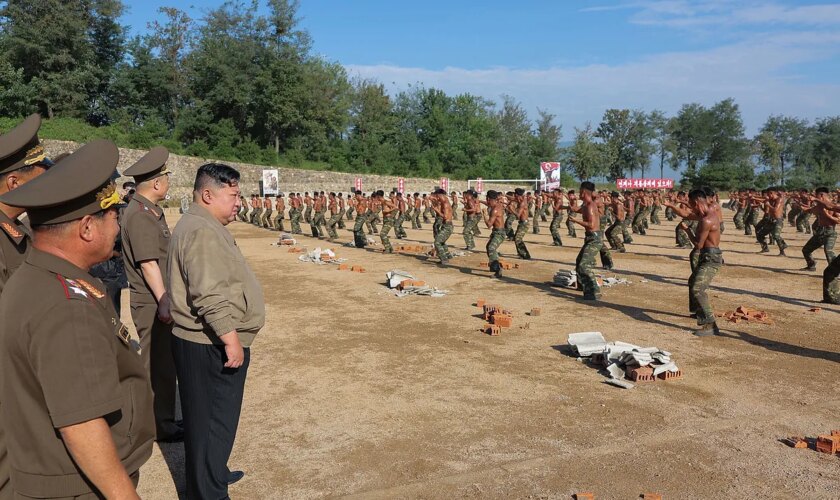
(145, 240)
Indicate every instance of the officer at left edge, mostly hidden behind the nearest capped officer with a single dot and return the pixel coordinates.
(22, 158)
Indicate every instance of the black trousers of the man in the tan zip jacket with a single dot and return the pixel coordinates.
(211, 401)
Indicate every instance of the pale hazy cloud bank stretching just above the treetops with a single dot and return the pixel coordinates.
(756, 73)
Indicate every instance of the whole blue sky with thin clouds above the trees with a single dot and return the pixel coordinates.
(576, 59)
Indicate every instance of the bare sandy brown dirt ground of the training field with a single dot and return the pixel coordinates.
(355, 392)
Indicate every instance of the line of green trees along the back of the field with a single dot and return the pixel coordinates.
(242, 83)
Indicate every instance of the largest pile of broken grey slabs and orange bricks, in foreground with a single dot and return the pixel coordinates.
(625, 361)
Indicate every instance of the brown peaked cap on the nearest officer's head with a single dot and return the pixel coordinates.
(78, 185)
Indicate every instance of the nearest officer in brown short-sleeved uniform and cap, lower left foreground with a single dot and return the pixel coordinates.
(75, 393)
